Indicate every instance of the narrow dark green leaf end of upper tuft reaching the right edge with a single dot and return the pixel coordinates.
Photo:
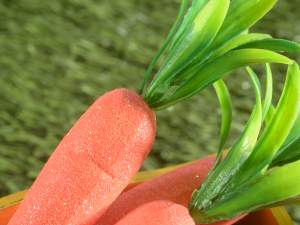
(277, 45)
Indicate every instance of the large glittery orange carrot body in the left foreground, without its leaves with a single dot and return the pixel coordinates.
(93, 163)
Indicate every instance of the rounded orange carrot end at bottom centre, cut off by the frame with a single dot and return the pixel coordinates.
(158, 213)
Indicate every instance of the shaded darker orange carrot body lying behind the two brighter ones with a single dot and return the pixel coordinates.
(176, 186)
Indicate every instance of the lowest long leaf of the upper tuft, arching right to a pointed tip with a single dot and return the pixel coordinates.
(215, 70)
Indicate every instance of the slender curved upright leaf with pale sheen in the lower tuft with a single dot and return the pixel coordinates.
(218, 178)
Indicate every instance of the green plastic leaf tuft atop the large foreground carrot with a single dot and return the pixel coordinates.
(209, 39)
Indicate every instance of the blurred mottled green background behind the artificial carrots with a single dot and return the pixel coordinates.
(57, 56)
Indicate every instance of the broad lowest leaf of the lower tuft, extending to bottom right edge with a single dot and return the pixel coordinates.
(274, 188)
